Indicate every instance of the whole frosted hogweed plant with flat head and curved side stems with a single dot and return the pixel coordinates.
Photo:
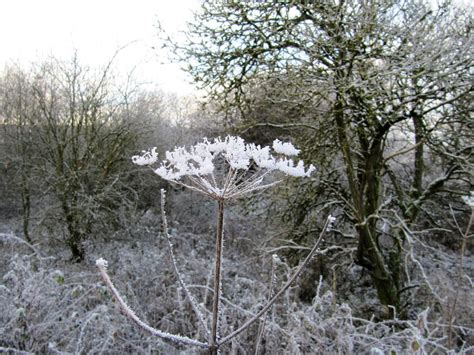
(221, 169)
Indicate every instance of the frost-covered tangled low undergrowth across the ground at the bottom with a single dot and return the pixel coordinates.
(49, 306)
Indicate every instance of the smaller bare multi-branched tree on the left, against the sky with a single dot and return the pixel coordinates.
(74, 132)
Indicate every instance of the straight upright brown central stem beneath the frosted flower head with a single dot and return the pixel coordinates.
(217, 278)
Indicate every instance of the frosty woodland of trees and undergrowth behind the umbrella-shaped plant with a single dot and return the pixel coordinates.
(377, 94)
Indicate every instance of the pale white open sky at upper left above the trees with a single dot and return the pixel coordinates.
(33, 29)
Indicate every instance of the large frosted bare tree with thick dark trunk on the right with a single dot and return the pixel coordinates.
(369, 88)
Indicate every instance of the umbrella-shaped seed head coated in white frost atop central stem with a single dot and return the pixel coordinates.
(196, 167)
